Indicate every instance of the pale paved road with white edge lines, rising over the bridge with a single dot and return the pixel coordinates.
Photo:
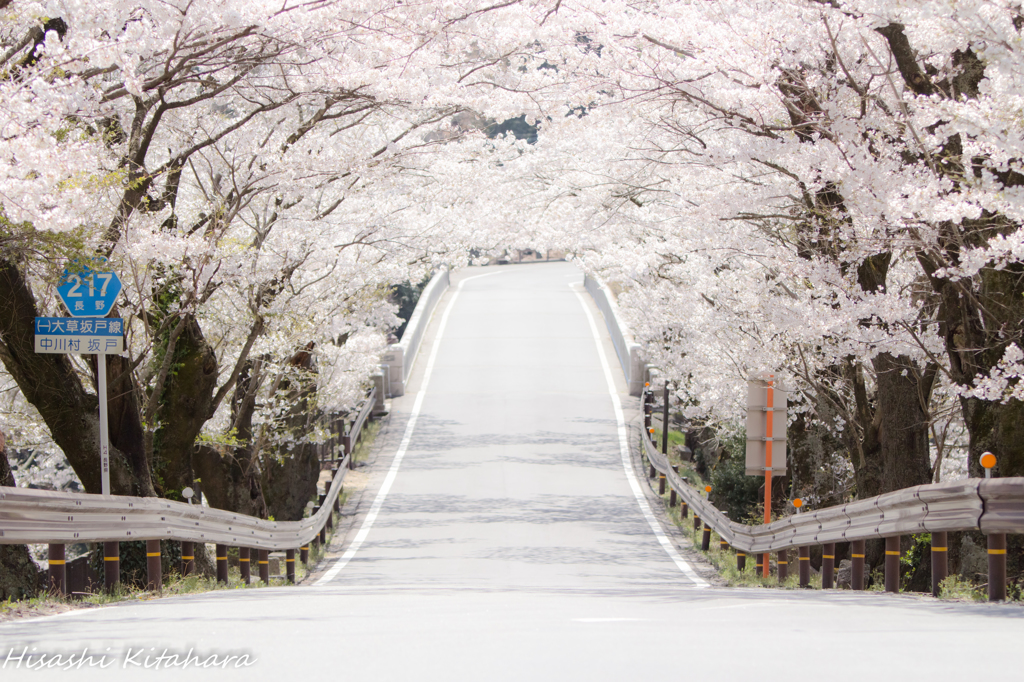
(503, 537)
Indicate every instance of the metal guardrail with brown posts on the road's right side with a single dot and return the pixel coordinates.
(994, 506)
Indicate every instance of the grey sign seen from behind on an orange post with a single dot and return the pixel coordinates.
(766, 405)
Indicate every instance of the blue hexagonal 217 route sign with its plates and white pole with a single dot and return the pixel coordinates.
(89, 295)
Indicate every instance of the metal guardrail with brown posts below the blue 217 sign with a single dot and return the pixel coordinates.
(34, 517)
